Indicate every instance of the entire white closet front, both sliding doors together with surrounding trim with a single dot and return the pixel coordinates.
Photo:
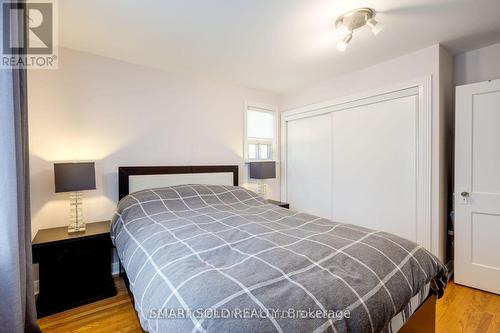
(364, 160)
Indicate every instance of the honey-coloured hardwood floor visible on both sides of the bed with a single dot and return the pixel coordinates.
(461, 310)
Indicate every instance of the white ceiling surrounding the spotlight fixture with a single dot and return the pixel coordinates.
(277, 45)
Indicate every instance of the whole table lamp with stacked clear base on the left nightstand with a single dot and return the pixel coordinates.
(74, 178)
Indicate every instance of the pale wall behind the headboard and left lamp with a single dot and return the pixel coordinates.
(115, 113)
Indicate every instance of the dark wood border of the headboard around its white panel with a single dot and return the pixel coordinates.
(125, 172)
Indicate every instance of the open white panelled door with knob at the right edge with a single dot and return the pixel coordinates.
(477, 186)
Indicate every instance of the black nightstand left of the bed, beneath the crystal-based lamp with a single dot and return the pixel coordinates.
(74, 269)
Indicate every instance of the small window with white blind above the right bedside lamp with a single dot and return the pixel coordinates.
(261, 132)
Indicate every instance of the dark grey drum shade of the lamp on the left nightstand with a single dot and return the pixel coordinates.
(73, 177)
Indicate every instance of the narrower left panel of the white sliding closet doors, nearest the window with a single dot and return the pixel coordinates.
(308, 163)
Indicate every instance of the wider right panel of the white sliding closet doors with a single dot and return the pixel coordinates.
(374, 166)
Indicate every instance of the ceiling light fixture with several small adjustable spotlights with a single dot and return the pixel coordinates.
(355, 19)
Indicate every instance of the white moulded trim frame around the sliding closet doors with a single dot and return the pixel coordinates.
(423, 87)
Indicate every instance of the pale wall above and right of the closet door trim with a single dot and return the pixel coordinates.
(434, 61)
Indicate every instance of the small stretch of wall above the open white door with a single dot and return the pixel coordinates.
(478, 65)
